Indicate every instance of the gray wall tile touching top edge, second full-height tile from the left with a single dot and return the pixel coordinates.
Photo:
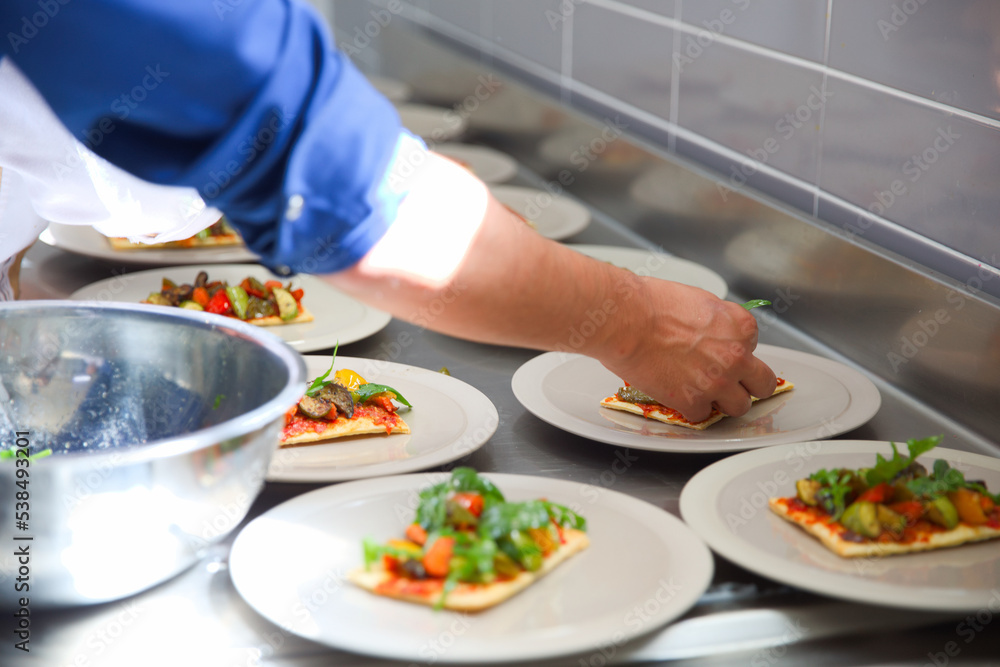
(624, 57)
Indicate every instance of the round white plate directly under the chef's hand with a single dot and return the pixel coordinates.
(829, 398)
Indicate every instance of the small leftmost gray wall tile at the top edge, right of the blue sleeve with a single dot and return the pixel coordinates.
(530, 28)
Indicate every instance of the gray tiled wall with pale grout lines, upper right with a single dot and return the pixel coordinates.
(881, 117)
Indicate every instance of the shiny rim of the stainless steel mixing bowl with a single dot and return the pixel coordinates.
(227, 430)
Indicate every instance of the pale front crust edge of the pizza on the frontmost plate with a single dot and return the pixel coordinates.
(476, 597)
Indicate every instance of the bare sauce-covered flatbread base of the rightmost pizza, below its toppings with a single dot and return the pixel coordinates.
(836, 538)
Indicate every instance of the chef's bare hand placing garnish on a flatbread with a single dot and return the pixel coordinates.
(688, 349)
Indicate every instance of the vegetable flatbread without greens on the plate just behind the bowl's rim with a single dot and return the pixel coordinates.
(262, 304)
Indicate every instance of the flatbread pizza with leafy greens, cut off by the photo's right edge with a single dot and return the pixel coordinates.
(895, 507)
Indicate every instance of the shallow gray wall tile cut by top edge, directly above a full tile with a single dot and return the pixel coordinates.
(796, 27)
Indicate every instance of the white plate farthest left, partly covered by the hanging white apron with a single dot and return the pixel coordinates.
(87, 241)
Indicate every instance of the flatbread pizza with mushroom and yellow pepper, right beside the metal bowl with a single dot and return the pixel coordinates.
(346, 405)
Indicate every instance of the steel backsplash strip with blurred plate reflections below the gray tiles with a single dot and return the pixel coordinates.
(859, 300)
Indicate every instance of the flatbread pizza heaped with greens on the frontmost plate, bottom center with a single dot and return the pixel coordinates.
(469, 549)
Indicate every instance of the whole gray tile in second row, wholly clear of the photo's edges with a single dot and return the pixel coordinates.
(762, 107)
